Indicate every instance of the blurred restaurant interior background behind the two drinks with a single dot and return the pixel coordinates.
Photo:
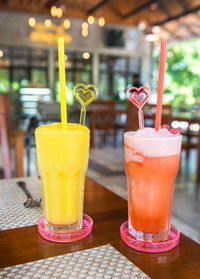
(114, 45)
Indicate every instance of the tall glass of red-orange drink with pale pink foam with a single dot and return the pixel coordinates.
(151, 164)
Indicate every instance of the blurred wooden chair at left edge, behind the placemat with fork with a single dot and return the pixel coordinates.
(10, 136)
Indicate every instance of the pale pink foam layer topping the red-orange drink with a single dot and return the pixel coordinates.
(151, 143)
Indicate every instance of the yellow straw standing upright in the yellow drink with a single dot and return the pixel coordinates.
(63, 105)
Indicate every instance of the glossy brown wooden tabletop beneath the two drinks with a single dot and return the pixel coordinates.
(108, 211)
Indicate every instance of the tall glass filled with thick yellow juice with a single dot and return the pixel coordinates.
(62, 156)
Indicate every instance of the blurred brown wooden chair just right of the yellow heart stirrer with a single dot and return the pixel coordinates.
(103, 119)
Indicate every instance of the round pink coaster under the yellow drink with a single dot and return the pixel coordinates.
(66, 237)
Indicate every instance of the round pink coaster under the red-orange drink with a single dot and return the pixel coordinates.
(162, 246)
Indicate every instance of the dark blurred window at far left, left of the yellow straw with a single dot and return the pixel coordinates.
(21, 67)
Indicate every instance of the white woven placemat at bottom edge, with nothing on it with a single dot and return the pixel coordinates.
(101, 262)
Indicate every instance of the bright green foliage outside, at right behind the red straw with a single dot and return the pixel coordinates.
(182, 74)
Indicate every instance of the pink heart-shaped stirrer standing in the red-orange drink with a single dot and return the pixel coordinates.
(139, 97)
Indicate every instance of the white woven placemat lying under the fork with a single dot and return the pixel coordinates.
(13, 214)
